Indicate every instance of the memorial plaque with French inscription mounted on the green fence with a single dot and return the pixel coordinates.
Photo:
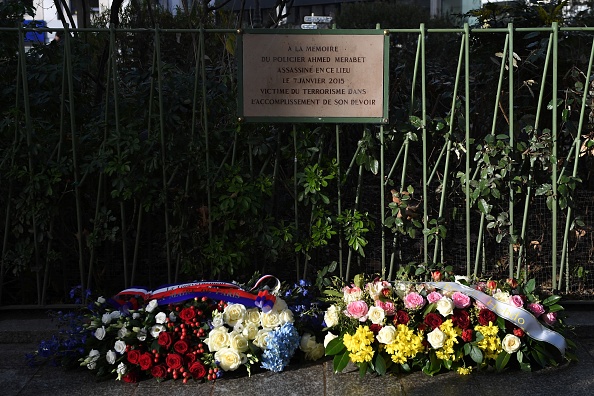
(321, 77)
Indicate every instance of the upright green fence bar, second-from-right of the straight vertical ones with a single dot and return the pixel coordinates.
(510, 59)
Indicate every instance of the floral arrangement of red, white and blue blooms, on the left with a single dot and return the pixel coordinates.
(195, 338)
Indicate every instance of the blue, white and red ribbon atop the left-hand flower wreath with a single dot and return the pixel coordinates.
(225, 291)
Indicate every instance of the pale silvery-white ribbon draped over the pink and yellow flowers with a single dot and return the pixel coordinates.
(518, 316)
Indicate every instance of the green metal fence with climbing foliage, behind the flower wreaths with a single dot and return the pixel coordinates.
(124, 163)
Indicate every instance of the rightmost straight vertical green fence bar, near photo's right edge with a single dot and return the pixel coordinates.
(555, 27)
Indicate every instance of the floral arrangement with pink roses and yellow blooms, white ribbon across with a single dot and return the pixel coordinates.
(440, 326)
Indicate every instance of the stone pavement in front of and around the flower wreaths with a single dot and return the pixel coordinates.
(19, 334)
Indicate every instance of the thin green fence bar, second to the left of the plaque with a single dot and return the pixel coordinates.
(163, 149)
